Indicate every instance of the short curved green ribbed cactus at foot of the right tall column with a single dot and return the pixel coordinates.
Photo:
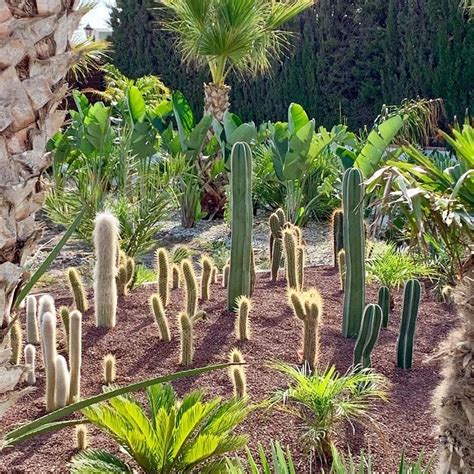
(368, 335)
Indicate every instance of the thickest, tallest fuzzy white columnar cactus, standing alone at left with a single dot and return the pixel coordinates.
(106, 233)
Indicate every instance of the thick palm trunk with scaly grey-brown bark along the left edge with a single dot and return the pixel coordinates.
(35, 56)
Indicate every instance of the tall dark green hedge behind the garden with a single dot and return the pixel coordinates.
(348, 58)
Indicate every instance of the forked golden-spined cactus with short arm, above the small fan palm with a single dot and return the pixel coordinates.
(308, 307)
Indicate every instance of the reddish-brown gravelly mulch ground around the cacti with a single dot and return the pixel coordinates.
(275, 335)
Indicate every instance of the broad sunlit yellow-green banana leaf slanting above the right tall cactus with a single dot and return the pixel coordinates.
(377, 142)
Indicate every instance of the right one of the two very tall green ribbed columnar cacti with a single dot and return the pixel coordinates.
(354, 245)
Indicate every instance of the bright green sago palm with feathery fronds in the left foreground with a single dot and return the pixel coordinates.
(177, 436)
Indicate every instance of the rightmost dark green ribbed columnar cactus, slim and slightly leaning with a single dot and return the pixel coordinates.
(411, 302)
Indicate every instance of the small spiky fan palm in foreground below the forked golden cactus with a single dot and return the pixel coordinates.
(325, 399)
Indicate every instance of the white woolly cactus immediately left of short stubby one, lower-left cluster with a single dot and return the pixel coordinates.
(48, 342)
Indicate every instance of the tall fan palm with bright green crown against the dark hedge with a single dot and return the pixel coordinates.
(226, 35)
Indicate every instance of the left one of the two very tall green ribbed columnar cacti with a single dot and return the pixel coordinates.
(241, 223)
